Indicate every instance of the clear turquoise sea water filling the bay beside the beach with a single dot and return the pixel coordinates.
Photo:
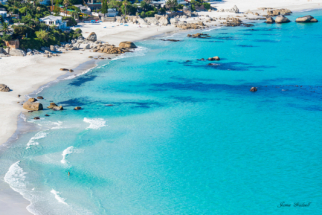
(183, 137)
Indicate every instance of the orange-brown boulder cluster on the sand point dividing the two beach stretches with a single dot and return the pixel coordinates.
(111, 49)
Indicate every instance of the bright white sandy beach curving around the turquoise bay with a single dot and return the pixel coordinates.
(26, 74)
